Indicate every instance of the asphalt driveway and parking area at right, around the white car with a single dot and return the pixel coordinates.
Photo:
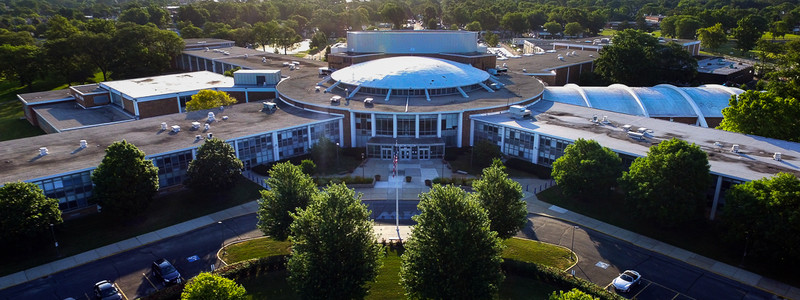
(602, 258)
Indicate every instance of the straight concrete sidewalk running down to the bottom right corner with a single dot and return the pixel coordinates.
(536, 206)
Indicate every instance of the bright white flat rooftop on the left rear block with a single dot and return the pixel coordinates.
(170, 84)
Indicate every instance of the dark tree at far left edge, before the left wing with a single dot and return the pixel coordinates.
(25, 211)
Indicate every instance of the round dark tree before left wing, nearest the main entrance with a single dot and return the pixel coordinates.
(215, 167)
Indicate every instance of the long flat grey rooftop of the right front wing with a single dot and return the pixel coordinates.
(570, 122)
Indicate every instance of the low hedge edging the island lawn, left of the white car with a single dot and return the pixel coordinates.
(557, 278)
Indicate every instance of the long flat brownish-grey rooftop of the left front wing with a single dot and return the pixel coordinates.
(21, 160)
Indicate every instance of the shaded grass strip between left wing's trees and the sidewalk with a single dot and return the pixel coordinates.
(97, 230)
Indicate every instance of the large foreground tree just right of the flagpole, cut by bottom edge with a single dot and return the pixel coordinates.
(452, 252)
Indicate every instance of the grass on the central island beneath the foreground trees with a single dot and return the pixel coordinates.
(386, 285)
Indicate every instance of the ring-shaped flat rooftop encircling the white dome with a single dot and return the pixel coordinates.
(300, 86)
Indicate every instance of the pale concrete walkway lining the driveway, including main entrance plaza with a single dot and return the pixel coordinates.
(386, 190)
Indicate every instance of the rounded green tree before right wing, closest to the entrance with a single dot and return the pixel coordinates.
(586, 169)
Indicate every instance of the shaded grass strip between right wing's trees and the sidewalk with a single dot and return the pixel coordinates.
(701, 237)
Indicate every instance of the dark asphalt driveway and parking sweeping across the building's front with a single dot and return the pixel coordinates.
(601, 259)
